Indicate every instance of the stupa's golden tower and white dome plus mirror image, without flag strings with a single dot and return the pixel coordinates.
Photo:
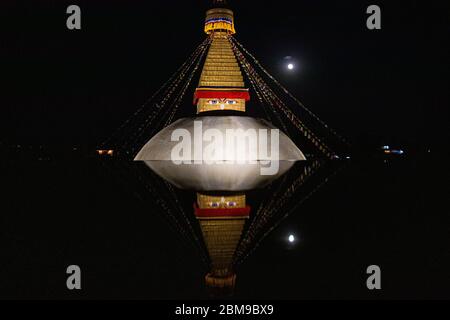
(220, 99)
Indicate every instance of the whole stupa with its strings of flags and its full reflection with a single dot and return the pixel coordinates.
(221, 179)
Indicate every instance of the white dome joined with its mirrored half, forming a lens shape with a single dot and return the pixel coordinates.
(226, 175)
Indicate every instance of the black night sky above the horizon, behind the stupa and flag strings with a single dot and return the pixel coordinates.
(67, 88)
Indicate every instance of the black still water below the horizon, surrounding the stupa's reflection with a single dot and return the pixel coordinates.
(101, 216)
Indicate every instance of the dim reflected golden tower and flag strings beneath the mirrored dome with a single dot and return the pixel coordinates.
(228, 228)
